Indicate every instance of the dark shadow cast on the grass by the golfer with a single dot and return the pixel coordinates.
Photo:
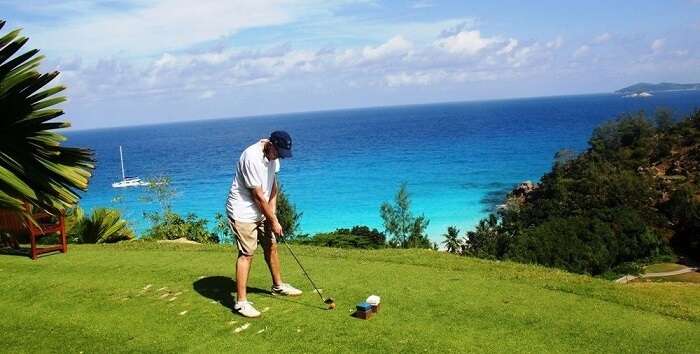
(221, 289)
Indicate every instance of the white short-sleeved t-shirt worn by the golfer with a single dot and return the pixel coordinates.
(253, 170)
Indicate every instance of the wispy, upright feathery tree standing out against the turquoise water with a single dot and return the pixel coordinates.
(406, 230)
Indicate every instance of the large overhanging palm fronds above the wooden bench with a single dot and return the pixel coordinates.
(34, 167)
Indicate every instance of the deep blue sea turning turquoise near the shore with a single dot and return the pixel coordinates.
(458, 159)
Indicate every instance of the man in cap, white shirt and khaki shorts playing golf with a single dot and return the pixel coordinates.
(251, 208)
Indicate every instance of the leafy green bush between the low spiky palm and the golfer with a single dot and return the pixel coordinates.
(172, 226)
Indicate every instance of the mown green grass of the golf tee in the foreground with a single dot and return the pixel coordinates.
(97, 298)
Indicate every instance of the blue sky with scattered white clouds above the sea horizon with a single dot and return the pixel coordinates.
(133, 62)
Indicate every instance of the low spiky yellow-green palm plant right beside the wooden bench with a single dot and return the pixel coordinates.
(102, 226)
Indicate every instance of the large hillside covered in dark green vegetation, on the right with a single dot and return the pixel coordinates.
(626, 199)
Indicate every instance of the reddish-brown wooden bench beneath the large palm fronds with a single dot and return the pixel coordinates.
(14, 225)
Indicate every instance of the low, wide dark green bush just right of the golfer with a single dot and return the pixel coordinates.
(356, 237)
